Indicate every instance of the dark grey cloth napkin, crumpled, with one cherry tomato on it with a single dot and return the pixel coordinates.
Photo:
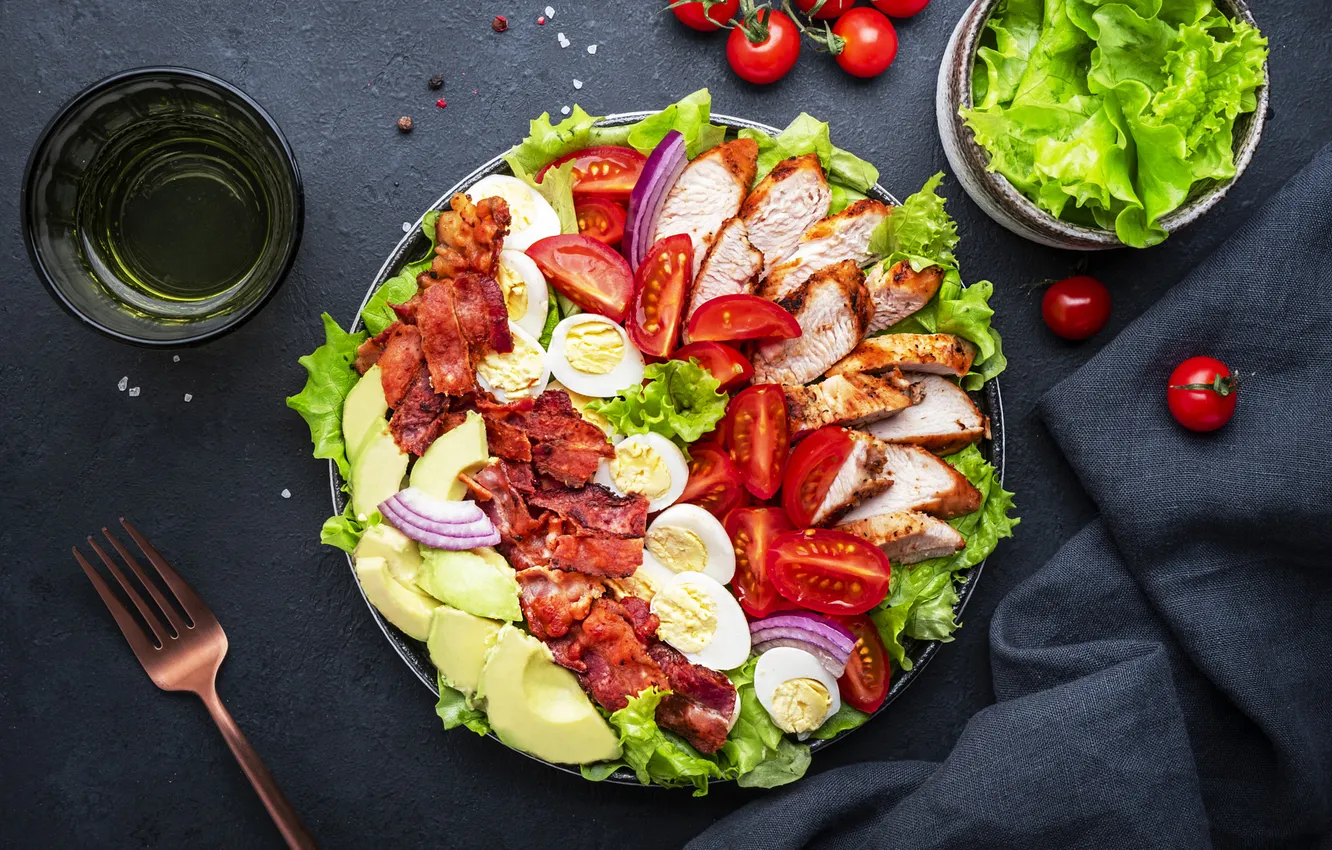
(1166, 681)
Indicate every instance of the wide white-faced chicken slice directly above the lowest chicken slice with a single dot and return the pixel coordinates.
(921, 482)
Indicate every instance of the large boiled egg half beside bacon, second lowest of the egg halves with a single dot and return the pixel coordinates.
(703, 620)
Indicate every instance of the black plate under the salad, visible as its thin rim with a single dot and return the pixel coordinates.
(415, 246)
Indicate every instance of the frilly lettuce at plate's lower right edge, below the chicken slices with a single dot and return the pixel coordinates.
(922, 596)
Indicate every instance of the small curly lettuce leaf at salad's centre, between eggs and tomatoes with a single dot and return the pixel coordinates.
(680, 400)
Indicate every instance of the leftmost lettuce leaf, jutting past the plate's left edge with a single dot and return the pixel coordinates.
(330, 380)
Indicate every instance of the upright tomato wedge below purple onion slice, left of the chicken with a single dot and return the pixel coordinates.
(660, 290)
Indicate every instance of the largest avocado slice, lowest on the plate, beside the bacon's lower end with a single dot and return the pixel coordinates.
(537, 707)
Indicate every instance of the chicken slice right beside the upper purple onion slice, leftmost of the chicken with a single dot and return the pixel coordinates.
(709, 193)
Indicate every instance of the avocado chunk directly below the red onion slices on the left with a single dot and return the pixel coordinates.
(479, 582)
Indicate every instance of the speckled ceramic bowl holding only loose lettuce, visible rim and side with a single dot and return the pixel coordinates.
(1002, 202)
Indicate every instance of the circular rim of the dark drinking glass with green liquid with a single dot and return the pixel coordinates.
(27, 193)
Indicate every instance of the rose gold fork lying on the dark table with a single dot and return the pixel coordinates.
(187, 657)
